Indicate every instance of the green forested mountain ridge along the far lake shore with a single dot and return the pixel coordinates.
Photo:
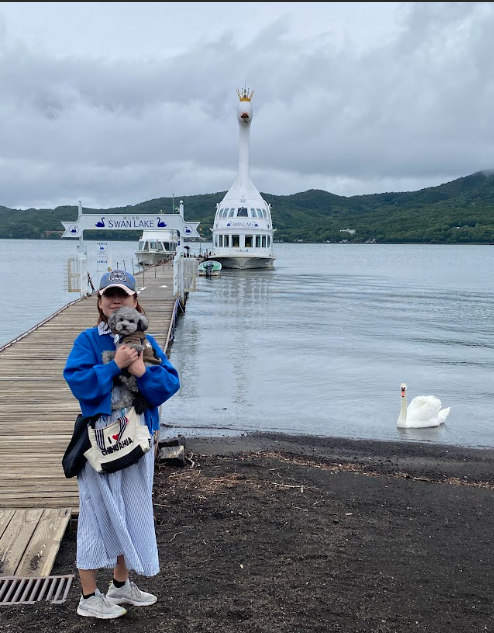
(456, 212)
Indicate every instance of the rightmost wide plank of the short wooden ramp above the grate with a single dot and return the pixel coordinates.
(43, 547)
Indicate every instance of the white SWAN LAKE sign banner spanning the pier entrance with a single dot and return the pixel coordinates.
(130, 222)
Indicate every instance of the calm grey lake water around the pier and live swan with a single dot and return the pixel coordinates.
(318, 345)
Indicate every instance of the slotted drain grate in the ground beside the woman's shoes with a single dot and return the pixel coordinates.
(19, 590)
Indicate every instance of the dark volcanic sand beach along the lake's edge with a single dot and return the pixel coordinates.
(286, 534)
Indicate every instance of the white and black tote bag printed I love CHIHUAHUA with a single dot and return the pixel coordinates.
(118, 445)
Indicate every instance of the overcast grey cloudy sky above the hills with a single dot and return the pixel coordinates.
(119, 103)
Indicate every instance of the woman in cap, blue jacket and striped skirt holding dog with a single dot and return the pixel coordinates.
(116, 521)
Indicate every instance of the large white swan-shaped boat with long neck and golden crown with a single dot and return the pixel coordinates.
(243, 229)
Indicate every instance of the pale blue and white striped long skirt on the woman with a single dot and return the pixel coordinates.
(116, 515)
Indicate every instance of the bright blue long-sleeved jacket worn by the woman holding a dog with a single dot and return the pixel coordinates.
(91, 381)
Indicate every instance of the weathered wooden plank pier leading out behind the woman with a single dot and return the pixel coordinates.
(37, 415)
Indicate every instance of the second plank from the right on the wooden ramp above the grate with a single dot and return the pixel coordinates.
(16, 537)
